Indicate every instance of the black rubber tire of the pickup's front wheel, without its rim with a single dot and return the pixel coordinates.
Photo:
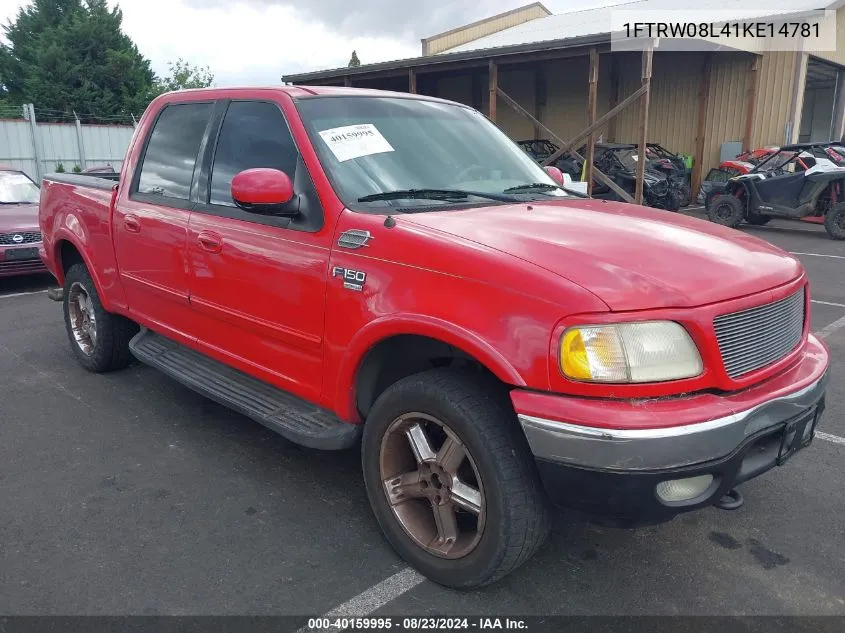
(517, 511)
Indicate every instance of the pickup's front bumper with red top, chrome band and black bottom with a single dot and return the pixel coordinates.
(612, 472)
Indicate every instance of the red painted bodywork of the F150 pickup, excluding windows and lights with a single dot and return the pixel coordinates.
(501, 283)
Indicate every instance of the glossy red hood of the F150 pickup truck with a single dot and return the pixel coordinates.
(631, 257)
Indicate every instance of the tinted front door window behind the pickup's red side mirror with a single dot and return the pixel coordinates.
(254, 134)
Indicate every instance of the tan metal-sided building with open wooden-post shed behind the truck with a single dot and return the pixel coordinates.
(699, 100)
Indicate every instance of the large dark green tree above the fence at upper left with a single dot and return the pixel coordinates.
(71, 55)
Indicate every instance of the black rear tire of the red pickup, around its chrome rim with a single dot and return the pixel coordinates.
(110, 347)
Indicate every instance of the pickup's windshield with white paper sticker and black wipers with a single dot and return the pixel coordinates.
(389, 145)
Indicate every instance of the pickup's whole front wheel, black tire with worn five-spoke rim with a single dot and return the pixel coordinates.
(451, 480)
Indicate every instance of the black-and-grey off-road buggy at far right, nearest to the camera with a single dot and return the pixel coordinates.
(800, 182)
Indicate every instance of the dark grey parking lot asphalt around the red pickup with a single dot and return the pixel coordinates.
(127, 493)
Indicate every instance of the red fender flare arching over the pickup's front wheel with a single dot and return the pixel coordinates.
(419, 325)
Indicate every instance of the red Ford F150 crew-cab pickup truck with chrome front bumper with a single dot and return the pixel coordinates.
(353, 266)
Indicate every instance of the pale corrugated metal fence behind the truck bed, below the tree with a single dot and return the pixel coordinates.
(57, 143)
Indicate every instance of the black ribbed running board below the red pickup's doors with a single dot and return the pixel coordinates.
(294, 419)
